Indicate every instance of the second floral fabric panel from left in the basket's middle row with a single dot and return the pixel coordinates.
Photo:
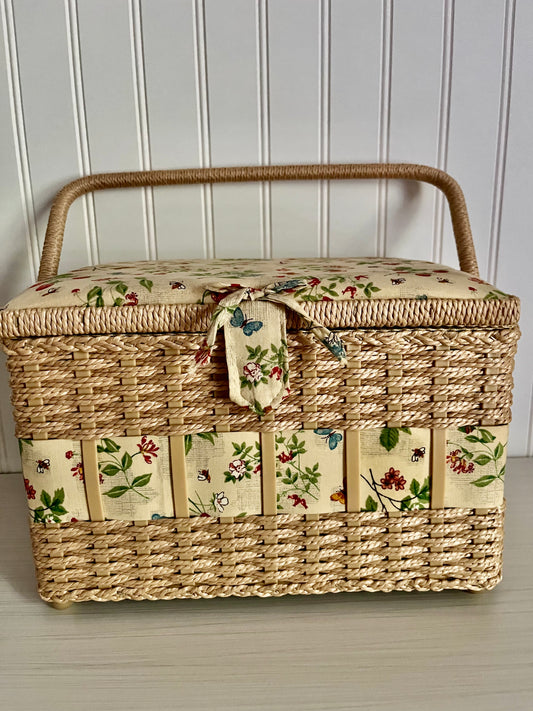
(135, 478)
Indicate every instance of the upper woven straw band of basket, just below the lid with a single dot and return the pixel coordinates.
(84, 387)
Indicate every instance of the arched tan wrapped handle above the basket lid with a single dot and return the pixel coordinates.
(351, 171)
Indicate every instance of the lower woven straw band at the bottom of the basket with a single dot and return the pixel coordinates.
(270, 555)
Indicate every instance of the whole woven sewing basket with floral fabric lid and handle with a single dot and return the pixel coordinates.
(204, 428)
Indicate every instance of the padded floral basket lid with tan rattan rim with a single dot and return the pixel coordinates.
(182, 295)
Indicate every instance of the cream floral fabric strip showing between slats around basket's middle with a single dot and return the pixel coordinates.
(224, 473)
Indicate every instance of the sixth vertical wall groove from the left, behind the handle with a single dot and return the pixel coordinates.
(324, 121)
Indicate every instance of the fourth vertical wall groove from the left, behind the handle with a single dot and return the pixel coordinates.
(203, 122)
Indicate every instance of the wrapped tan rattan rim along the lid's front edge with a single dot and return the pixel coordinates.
(195, 318)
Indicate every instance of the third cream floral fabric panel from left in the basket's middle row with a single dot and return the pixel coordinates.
(223, 473)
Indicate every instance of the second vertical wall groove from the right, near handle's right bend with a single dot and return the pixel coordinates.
(444, 121)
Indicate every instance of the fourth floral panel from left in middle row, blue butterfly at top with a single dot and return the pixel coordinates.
(309, 471)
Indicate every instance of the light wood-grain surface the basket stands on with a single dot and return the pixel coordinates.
(403, 651)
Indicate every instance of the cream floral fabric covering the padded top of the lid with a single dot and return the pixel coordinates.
(209, 281)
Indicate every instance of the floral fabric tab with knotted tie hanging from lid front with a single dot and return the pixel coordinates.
(254, 322)
